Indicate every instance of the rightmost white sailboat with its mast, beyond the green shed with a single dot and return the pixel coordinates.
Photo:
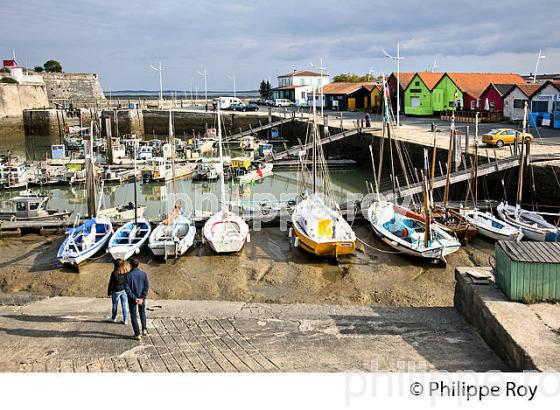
(532, 224)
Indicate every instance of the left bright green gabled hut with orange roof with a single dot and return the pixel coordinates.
(418, 93)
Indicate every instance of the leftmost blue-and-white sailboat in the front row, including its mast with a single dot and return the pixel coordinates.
(89, 238)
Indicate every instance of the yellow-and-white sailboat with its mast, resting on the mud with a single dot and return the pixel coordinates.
(317, 224)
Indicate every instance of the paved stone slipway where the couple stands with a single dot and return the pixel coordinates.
(70, 335)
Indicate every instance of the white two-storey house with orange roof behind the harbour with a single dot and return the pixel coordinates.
(298, 85)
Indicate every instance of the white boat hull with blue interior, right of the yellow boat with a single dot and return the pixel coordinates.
(405, 231)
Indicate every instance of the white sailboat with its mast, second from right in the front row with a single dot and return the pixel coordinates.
(486, 223)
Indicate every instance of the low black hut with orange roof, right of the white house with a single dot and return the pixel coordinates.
(348, 96)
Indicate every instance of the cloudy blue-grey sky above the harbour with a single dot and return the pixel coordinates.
(258, 40)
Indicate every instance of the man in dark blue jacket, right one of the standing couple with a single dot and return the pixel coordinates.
(136, 286)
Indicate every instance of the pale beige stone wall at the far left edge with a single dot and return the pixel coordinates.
(14, 98)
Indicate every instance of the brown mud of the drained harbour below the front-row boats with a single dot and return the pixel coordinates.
(268, 270)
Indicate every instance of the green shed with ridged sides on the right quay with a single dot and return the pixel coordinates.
(529, 271)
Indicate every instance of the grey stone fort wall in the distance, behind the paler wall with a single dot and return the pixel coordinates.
(75, 88)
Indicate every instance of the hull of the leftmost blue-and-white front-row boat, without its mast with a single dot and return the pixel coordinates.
(84, 241)
